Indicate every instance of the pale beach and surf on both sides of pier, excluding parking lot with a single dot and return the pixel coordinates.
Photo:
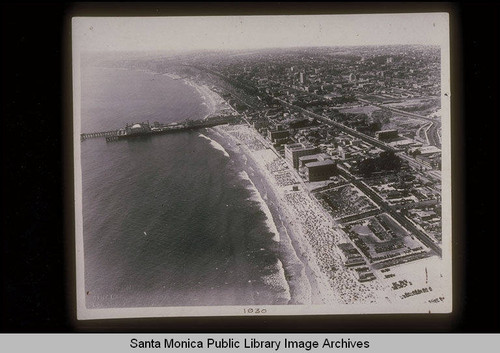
(314, 272)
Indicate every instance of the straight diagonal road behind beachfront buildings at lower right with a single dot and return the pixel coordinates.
(424, 238)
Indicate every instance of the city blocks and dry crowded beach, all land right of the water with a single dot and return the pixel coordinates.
(351, 136)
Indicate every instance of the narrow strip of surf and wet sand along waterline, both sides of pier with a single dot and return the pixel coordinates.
(307, 283)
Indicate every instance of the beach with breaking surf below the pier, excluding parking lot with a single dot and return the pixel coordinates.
(309, 235)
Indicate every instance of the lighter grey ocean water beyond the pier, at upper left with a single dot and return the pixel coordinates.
(113, 97)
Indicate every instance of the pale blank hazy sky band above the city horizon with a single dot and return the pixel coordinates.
(249, 32)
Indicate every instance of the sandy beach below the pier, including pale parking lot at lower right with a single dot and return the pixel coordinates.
(309, 236)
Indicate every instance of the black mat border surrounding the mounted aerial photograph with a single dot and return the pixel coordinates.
(37, 283)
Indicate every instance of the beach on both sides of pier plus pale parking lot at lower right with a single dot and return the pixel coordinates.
(309, 259)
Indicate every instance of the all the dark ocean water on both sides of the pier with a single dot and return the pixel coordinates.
(168, 220)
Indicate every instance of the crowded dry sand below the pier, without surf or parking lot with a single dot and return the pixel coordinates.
(311, 235)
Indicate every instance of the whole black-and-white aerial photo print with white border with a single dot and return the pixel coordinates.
(262, 165)
